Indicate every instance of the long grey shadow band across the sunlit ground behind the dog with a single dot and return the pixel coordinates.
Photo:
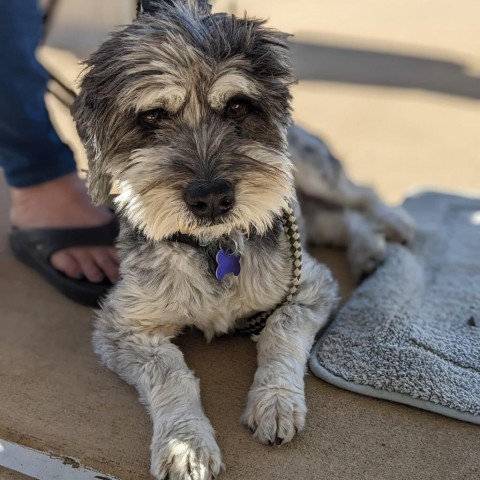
(318, 61)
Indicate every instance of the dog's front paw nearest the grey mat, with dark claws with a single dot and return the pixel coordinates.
(275, 413)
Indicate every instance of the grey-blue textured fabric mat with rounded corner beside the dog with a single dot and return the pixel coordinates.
(411, 332)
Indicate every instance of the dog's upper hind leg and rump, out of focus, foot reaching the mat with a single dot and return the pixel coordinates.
(319, 175)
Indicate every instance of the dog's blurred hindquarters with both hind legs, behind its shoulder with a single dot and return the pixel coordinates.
(337, 211)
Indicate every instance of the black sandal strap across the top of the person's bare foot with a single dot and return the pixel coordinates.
(47, 241)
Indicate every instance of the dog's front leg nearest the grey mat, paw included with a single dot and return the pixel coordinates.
(276, 401)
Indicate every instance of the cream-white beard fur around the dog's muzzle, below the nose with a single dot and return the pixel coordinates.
(158, 209)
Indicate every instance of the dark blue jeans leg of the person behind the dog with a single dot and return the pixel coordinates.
(30, 150)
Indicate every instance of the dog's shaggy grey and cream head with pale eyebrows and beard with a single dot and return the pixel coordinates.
(187, 112)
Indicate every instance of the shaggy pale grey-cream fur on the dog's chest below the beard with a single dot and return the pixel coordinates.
(180, 290)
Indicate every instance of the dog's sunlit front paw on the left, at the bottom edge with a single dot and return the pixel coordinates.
(186, 457)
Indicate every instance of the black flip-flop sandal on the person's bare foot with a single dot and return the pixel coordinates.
(35, 246)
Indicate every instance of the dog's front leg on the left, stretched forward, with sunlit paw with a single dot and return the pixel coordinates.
(183, 445)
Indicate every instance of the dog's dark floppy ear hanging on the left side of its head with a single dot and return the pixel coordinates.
(86, 112)
